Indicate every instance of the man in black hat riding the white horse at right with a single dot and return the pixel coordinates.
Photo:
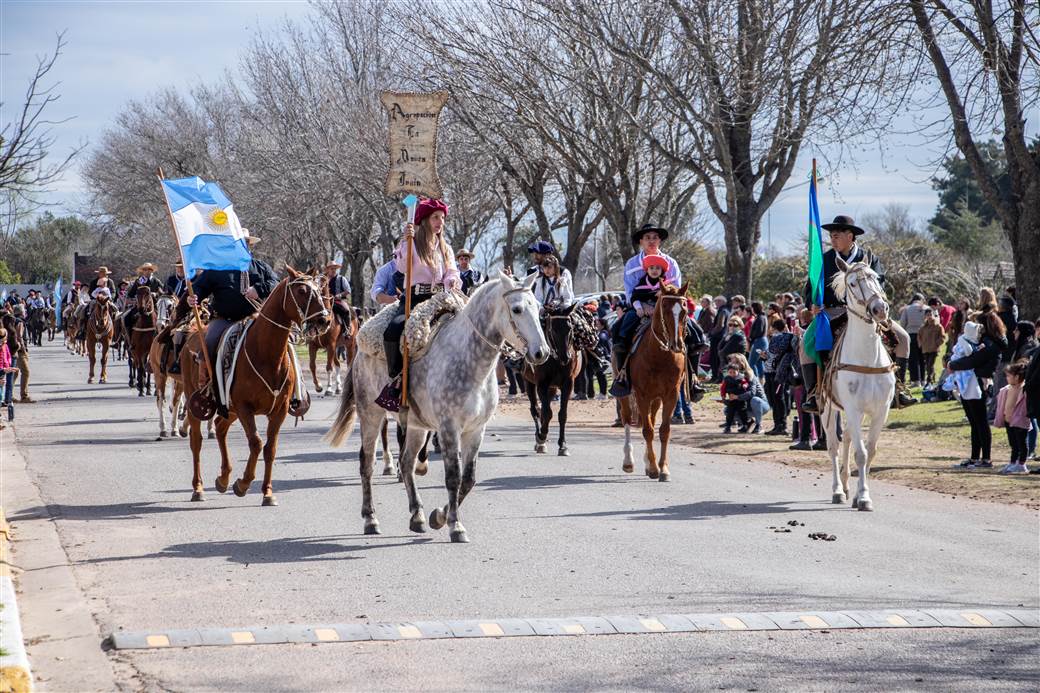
(844, 234)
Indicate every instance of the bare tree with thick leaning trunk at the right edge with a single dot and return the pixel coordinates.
(986, 57)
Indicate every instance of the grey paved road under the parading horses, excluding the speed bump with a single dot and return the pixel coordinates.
(551, 537)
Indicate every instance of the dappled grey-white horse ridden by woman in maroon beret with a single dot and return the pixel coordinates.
(452, 391)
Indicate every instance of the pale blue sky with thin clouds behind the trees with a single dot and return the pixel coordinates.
(118, 52)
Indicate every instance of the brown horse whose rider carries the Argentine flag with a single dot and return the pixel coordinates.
(264, 382)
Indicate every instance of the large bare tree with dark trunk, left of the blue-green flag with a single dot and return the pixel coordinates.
(751, 83)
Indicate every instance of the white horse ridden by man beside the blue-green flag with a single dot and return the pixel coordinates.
(865, 383)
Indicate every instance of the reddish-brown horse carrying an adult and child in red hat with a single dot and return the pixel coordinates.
(657, 370)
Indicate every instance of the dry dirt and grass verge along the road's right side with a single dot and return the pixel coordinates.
(918, 449)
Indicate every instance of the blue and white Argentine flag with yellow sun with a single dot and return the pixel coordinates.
(207, 227)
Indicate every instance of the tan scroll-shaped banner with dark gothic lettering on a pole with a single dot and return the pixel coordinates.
(413, 142)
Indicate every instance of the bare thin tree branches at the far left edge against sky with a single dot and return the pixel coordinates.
(28, 142)
